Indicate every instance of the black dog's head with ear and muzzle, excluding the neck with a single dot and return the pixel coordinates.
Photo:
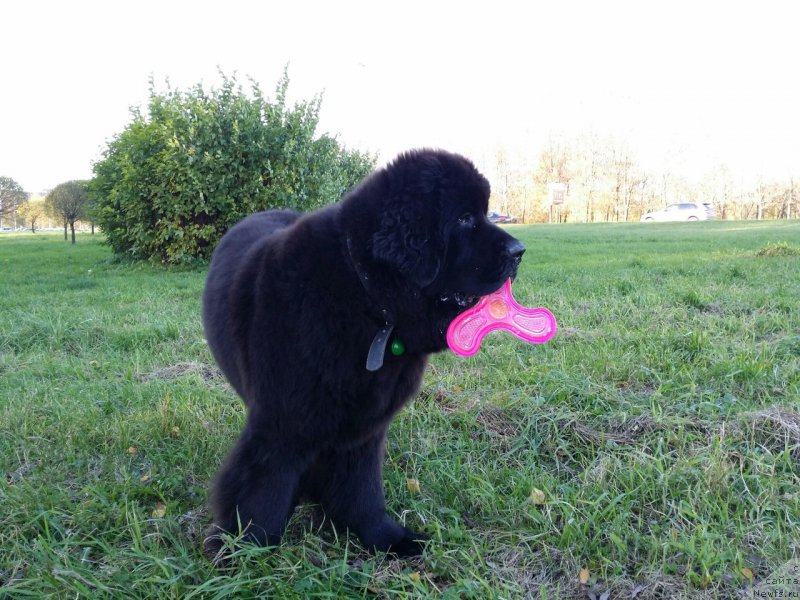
(433, 228)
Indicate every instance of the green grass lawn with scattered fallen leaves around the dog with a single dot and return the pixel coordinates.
(661, 428)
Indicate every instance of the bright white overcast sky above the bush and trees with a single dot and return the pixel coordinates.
(687, 85)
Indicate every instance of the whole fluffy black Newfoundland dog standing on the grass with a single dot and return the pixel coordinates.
(323, 323)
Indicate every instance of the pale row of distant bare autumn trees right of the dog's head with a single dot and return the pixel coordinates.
(605, 183)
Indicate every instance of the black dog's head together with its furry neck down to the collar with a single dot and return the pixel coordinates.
(418, 238)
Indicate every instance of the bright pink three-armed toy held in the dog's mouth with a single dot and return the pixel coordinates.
(499, 310)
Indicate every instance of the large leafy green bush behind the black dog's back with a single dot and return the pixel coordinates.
(176, 179)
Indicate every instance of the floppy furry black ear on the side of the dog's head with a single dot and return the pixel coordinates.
(409, 235)
